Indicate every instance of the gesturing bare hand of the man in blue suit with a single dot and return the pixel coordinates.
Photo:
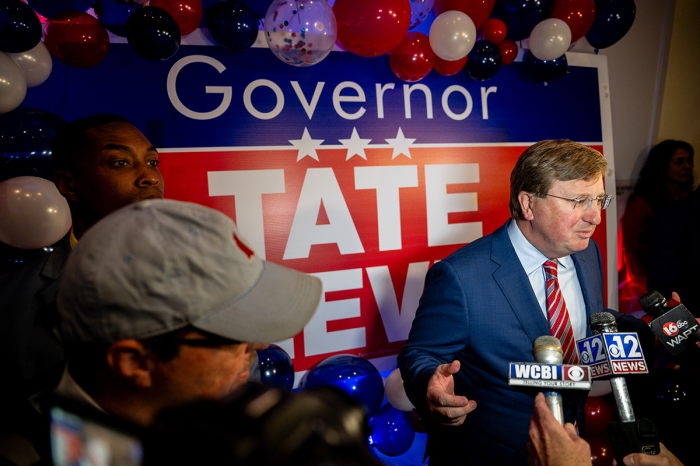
(445, 407)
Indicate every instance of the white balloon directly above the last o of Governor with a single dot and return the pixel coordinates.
(452, 35)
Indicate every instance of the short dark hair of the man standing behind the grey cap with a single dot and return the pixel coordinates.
(70, 139)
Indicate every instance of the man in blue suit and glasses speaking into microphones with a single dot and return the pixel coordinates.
(485, 304)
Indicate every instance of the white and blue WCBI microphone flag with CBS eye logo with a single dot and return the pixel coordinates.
(527, 374)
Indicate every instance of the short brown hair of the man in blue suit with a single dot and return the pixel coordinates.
(552, 160)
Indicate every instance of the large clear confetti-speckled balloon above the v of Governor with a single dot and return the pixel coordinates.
(300, 33)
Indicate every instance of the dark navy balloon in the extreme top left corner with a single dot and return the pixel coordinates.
(20, 28)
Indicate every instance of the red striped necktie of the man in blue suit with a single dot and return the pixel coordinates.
(557, 314)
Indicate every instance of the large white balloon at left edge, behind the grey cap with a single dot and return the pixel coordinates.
(34, 214)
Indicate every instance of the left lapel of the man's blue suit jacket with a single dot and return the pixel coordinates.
(515, 285)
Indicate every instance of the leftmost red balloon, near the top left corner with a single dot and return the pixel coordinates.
(76, 38)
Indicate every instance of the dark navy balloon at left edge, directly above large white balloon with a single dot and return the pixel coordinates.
(26, 135)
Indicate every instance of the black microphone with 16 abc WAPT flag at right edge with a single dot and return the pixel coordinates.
(675, 326)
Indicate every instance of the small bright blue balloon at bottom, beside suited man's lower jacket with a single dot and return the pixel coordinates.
(392, 431)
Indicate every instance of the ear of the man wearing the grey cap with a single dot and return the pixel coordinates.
(132, 361)
